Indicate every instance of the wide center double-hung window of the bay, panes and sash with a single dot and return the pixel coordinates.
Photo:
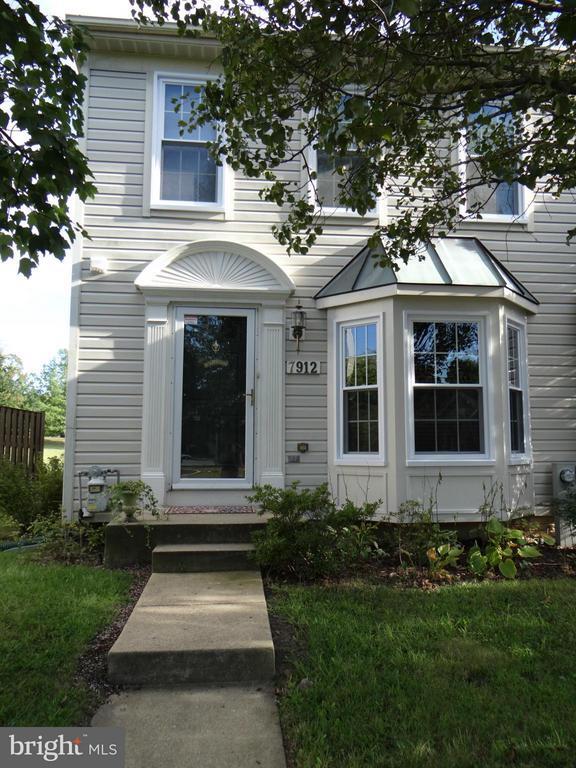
(448, 394)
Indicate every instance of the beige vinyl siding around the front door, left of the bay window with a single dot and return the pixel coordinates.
(111, 339)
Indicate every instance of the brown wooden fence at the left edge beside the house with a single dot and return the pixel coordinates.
(21, 436)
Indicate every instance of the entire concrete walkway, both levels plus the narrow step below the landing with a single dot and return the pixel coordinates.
(202, 643)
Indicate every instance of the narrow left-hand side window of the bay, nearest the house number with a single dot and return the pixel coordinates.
(359, 389)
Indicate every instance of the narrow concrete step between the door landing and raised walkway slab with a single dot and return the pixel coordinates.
(194, 558)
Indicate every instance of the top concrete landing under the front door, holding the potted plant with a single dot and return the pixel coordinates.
(131, 543)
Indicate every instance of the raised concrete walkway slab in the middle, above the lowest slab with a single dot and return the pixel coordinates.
(196, 628)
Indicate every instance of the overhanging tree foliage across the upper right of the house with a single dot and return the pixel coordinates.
(421, 71)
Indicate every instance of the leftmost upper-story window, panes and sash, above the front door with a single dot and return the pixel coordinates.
(184, 175)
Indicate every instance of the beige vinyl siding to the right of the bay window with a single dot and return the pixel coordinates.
(539, 256)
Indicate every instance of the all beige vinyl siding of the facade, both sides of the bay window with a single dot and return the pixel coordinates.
(111, 335)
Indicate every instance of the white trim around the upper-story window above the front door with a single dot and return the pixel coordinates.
(156, 202)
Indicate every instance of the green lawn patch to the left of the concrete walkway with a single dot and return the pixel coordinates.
(48, 614)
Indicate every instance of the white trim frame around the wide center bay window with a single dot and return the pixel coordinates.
(485, 381)
